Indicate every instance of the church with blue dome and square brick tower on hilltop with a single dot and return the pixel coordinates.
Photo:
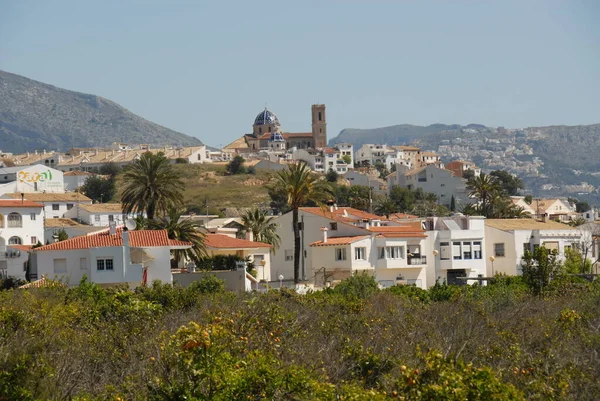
(268, 135)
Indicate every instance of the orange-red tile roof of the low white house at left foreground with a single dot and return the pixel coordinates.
(98, 239)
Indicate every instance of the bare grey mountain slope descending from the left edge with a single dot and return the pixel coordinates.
(35, 115)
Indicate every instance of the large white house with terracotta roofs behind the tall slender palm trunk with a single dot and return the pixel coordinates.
(338, 242)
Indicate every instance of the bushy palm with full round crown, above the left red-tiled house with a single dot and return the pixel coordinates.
(151, 186)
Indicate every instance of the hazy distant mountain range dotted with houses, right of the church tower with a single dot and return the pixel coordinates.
(553, 160)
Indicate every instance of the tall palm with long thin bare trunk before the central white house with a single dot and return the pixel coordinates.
(301, 186)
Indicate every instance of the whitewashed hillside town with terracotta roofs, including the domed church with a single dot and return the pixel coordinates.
(41, 197)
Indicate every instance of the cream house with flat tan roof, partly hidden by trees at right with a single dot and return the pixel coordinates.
(508, 239)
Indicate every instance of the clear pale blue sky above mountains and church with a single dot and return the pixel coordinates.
(207, 68)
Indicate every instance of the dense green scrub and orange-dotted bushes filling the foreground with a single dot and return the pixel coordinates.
(354, 342)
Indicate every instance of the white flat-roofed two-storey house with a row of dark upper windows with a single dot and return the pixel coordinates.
(457, 247)
